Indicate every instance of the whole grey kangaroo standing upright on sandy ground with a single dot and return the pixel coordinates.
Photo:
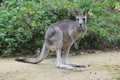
(59, 37)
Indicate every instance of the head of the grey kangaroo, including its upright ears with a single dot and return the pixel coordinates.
(81, 19)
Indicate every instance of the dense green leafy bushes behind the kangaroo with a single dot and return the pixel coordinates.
(23, 23)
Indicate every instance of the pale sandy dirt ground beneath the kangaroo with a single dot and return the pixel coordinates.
(103, 66)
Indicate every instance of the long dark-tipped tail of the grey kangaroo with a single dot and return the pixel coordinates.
(42, 56)
